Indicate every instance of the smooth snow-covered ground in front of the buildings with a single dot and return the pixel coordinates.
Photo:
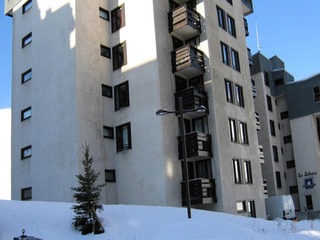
(52, 221)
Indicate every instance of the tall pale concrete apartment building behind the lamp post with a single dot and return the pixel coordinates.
(97, 71)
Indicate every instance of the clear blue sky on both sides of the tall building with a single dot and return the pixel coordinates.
(286, 28)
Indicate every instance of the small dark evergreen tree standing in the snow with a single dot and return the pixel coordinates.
(87, 196)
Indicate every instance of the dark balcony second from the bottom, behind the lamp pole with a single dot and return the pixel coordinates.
(198, 146)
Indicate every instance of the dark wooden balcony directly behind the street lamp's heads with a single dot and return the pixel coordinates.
(192, 98)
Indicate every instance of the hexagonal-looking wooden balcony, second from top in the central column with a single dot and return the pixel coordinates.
(187, 61)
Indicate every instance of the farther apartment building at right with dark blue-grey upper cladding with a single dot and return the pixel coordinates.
(289, 115)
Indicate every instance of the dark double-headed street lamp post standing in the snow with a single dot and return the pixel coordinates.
(181, 111)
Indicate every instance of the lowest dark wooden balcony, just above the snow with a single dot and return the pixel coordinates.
(202, 191)
